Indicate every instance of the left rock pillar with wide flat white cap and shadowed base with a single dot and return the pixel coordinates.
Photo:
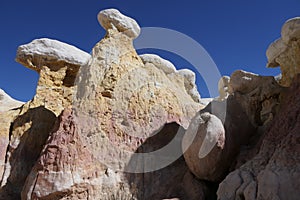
(28, 127)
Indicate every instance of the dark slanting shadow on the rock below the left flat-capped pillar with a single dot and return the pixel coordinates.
(34, 126)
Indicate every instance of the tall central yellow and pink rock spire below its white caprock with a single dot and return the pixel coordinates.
(121, 106)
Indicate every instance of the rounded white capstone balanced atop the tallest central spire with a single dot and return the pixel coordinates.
(113, 19)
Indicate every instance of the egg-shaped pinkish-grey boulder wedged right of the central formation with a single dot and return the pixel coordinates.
(203, 142)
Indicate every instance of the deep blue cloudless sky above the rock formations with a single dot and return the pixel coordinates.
(235, 33)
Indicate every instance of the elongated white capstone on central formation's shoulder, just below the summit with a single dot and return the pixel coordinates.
(163, 64)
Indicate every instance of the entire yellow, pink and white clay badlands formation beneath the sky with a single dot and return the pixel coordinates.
(118, 125)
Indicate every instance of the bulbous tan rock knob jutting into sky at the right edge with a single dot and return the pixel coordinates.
(285, 51)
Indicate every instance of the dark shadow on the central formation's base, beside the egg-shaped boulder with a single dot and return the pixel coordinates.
(172, 181)
